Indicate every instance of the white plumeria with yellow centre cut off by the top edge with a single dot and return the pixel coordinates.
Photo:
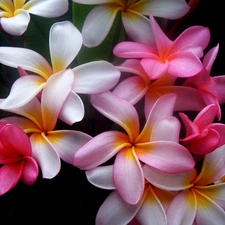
(134, 15)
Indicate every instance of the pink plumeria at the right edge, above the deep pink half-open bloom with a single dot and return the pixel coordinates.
(212, 88)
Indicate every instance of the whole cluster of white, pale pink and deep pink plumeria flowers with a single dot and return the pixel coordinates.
(164, 158)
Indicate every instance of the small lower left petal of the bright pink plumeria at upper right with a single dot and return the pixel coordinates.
(154, 67)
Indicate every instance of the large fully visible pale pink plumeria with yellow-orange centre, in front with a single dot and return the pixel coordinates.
(155, 145)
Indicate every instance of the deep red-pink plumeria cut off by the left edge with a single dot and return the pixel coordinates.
(17, 163)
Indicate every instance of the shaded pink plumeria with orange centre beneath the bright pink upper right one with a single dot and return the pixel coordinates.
(139, 85)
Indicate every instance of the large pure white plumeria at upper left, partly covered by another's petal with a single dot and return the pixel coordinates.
(65, 42)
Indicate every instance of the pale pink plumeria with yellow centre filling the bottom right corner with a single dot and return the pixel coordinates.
(200, 199)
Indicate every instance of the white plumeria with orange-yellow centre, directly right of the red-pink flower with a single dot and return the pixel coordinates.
(38, 119)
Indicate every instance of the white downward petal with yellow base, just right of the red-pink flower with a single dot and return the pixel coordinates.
(45, 155)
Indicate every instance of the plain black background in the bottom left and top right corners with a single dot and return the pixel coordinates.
(69, 198)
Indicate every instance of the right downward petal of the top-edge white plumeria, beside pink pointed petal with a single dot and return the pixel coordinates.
(137, 27)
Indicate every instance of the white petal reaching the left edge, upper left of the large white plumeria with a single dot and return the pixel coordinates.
(26, 59)
